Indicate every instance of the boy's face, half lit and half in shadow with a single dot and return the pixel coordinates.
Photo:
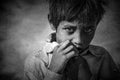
(80, 34)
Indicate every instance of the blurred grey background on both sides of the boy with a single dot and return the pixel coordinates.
(24, 24)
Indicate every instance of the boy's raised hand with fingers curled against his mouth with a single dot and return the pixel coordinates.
(61, 55)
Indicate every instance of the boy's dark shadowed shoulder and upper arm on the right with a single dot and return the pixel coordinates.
(108, 68)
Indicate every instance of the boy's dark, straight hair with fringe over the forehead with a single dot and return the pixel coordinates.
(70, 10)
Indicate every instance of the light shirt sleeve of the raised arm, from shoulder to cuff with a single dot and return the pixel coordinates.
(36, 69)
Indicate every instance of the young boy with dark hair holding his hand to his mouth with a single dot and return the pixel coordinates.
(73, 58)
